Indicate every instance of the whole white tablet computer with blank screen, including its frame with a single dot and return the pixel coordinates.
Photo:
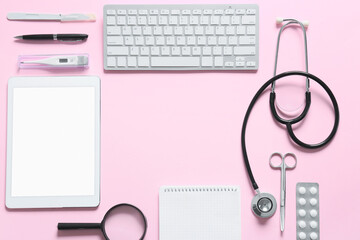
(53, 142)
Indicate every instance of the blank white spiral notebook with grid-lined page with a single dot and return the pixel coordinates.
(200, 213)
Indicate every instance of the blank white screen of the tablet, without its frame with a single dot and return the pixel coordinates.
(53, 150)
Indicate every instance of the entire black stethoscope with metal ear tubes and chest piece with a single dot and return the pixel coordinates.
(264, 204)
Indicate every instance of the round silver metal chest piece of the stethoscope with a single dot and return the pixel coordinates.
(263, 205)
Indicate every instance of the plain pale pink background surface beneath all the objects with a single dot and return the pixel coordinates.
(172, 128)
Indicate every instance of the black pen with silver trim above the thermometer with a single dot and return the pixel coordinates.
(60, 37)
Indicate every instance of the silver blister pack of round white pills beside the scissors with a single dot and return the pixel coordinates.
(307, 211)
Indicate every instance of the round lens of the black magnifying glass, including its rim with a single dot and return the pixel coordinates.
(124, 222)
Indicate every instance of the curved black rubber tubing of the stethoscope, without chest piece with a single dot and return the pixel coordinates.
(290, 122)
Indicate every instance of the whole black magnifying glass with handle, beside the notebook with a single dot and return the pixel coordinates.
(122, 221)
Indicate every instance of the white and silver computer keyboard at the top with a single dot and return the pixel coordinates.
(181, 37)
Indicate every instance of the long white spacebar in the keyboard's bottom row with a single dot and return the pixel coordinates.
(175, 61)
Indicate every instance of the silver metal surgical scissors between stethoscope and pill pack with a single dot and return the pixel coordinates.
(283, 166)
